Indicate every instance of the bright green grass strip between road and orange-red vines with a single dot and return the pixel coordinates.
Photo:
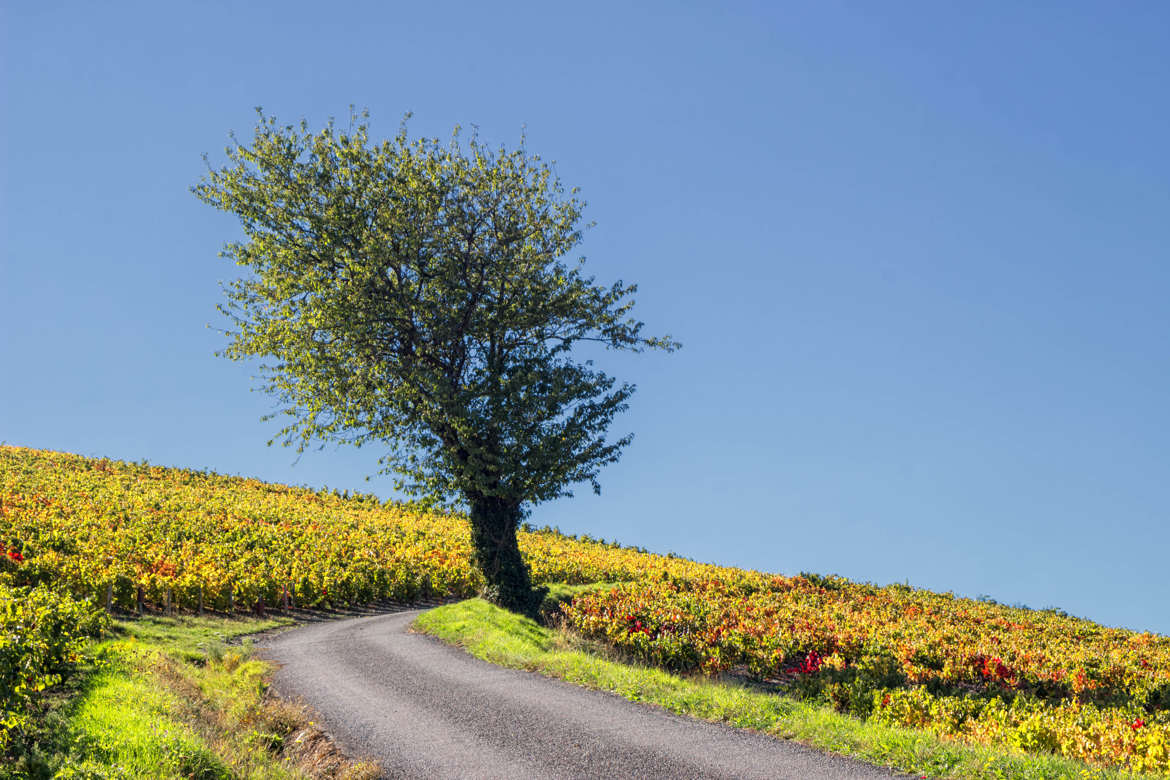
(511, 640)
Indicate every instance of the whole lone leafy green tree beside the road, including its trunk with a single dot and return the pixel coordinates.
(415, 294)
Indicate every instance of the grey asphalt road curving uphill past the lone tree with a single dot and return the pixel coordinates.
(424, 709)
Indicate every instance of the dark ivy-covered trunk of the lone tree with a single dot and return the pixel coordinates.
(494, 526)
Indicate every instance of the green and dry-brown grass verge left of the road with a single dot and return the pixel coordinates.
(170, 698)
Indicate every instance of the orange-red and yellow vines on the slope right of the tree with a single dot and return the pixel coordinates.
(1038, 681)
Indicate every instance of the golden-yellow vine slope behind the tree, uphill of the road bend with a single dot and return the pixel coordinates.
(98, 526)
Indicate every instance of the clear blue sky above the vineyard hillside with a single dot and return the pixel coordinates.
(918, 253)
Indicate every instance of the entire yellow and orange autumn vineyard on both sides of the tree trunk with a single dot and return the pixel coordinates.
(133, 537)
